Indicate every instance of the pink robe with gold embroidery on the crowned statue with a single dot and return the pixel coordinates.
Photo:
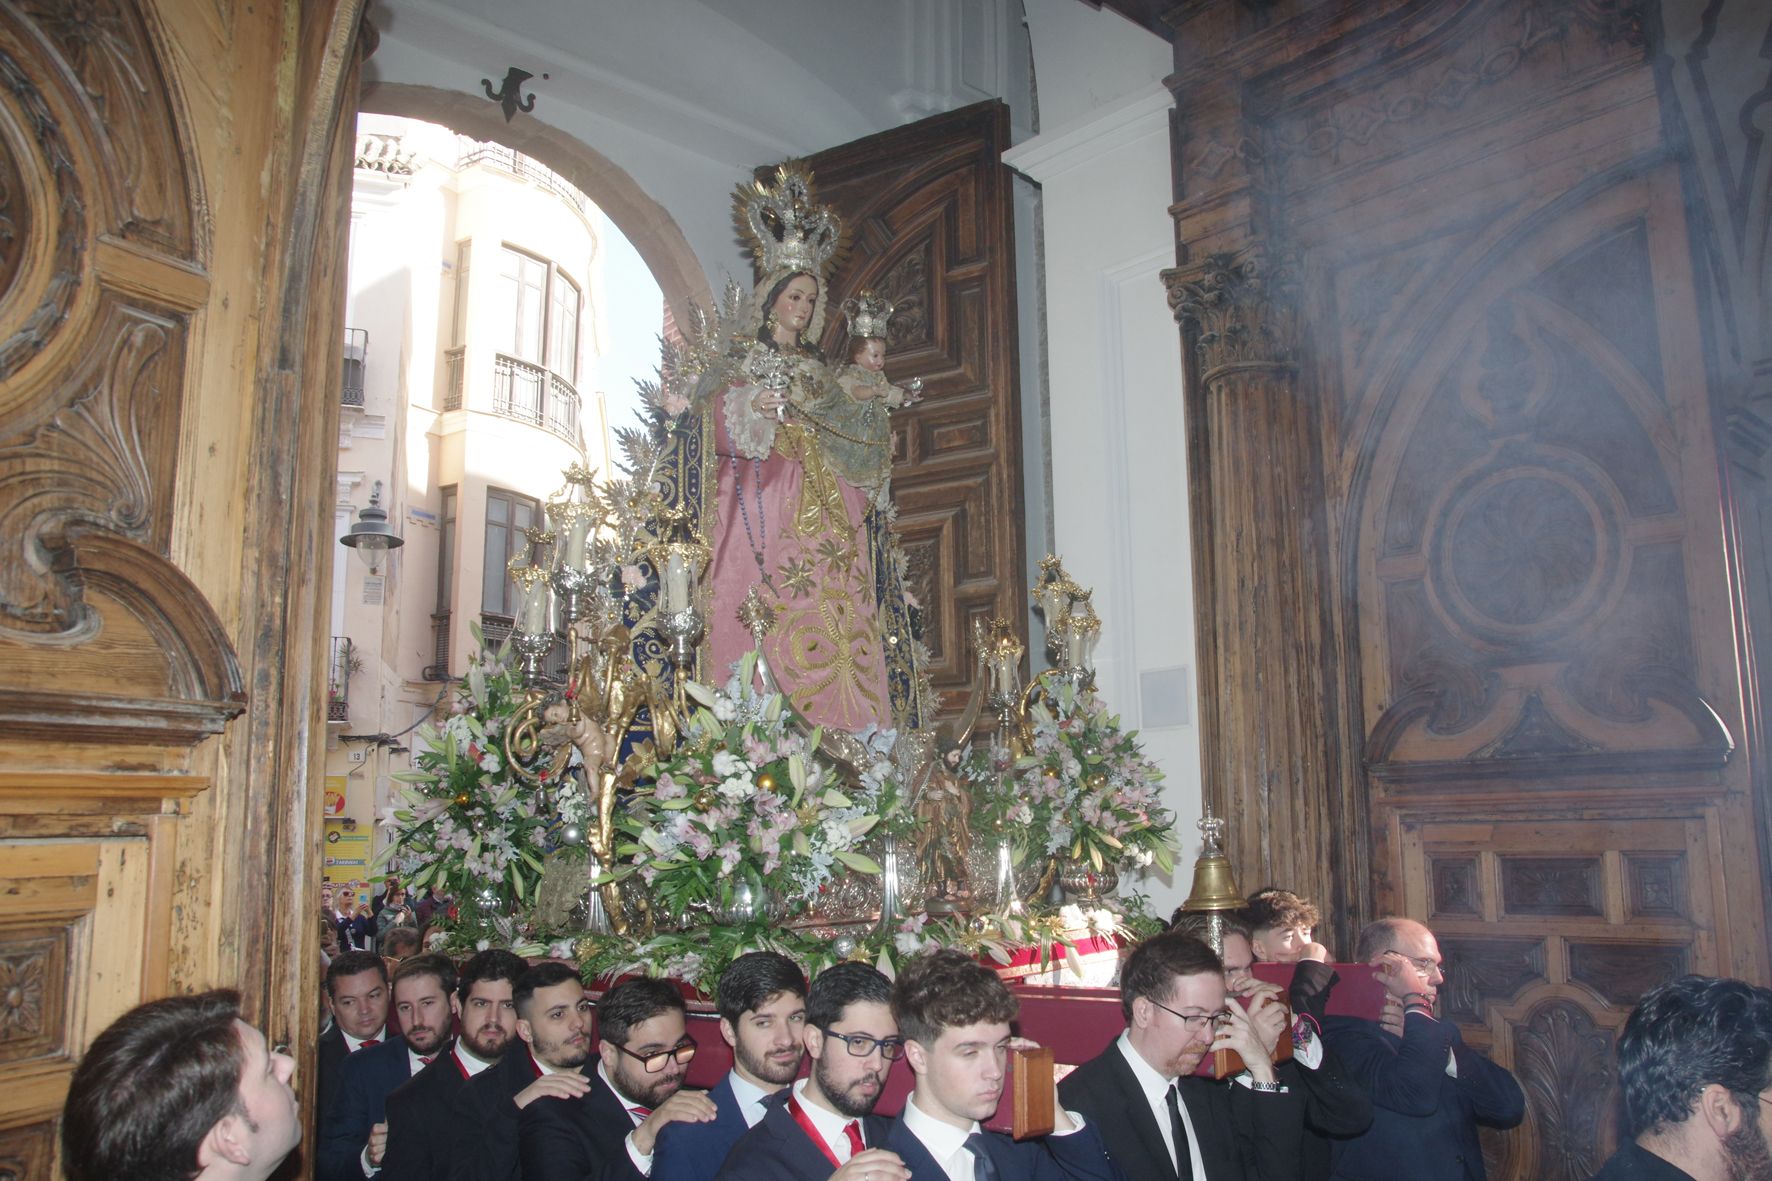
(793, 528)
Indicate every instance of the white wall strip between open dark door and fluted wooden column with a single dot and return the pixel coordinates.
(1114, 366)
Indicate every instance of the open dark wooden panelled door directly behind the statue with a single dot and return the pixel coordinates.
(929, 223)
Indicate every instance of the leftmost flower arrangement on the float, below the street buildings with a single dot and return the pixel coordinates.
(463, 820)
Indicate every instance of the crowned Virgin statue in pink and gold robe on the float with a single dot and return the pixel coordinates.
(793, 492)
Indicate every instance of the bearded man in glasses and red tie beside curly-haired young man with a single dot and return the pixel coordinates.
(827, 1127)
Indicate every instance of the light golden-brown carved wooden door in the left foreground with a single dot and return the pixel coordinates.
(167, 178)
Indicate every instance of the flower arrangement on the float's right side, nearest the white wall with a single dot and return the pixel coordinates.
(1084, 790)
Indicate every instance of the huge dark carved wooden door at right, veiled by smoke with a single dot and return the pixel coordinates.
(1438, 272)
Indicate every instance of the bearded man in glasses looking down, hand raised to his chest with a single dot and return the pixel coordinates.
(609, 1134)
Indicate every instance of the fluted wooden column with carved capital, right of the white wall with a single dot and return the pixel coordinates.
(1261, 579)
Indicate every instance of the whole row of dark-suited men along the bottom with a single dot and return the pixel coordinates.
(501, 1070)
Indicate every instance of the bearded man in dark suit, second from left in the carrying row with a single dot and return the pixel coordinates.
(354, 1130)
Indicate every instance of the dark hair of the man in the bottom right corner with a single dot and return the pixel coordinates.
(1683, 1038)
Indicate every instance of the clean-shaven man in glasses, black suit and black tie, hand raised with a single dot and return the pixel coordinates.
(1160, 1118)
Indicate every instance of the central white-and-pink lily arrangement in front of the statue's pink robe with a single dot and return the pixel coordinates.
(743, 815)
